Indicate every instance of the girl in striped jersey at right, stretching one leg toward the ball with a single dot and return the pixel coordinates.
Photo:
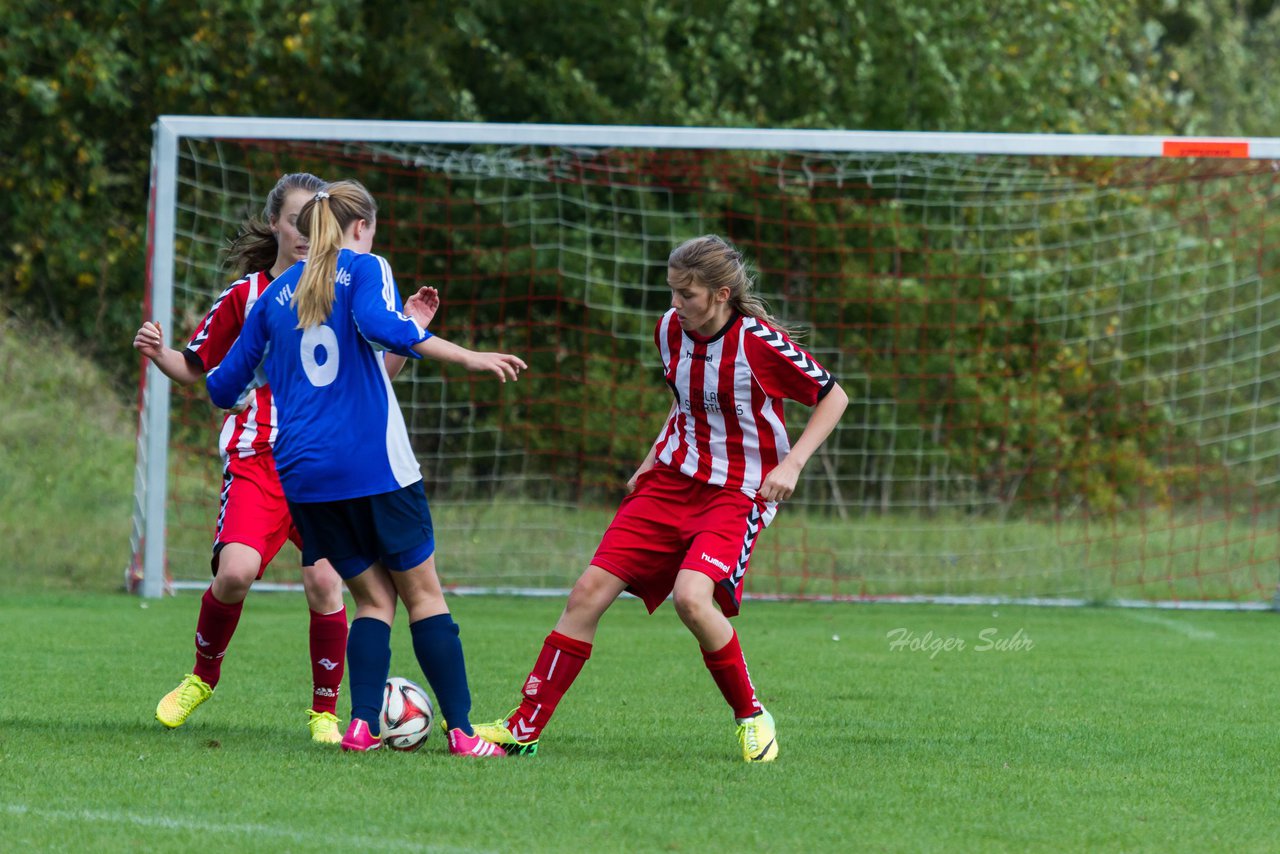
(707, 488)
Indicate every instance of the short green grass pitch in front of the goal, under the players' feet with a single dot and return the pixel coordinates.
(1113, 730)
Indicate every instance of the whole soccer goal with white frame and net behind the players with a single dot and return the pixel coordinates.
(1063, 353)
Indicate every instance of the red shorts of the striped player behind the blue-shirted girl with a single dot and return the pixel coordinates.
(254, 512)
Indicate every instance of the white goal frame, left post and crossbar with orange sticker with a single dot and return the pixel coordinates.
(153, 447)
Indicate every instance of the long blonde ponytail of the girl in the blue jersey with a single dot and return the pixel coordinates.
(323, 221)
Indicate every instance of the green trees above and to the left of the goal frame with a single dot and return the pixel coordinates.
(81, 84)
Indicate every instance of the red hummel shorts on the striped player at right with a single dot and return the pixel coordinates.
(675, 523)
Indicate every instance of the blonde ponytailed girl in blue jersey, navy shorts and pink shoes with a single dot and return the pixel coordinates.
(350, 476)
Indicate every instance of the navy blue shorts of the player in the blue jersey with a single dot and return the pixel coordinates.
(394, 529)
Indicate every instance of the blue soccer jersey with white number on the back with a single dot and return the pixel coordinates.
(341, 431)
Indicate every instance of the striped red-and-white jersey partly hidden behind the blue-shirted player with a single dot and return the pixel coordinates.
(253, 430)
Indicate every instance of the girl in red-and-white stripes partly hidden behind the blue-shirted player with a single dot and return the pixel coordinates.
(254, 519)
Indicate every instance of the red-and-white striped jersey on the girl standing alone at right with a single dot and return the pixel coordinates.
(729, 428)
